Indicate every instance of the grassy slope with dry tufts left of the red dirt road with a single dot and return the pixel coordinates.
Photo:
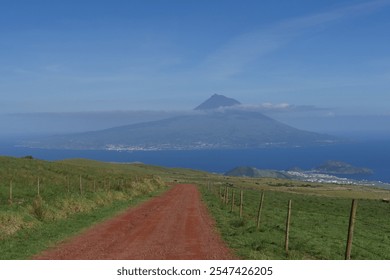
(44, 202)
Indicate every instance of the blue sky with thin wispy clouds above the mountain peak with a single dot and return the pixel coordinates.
(76, 56)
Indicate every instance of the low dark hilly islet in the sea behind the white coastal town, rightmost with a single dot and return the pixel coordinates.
(339, 167)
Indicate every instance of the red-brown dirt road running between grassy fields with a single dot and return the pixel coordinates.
(173, 226)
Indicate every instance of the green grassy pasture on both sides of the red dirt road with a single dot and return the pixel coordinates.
(42, 203)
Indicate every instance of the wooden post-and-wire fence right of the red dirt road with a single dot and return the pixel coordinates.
(301, 221)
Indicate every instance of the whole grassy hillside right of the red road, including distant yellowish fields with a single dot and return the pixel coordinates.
(319, 218)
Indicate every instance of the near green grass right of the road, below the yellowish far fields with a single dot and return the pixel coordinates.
(318, 228)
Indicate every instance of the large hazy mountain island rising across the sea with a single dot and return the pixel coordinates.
(230, 128)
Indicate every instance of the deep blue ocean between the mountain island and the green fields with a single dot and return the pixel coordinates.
(373, 154)
